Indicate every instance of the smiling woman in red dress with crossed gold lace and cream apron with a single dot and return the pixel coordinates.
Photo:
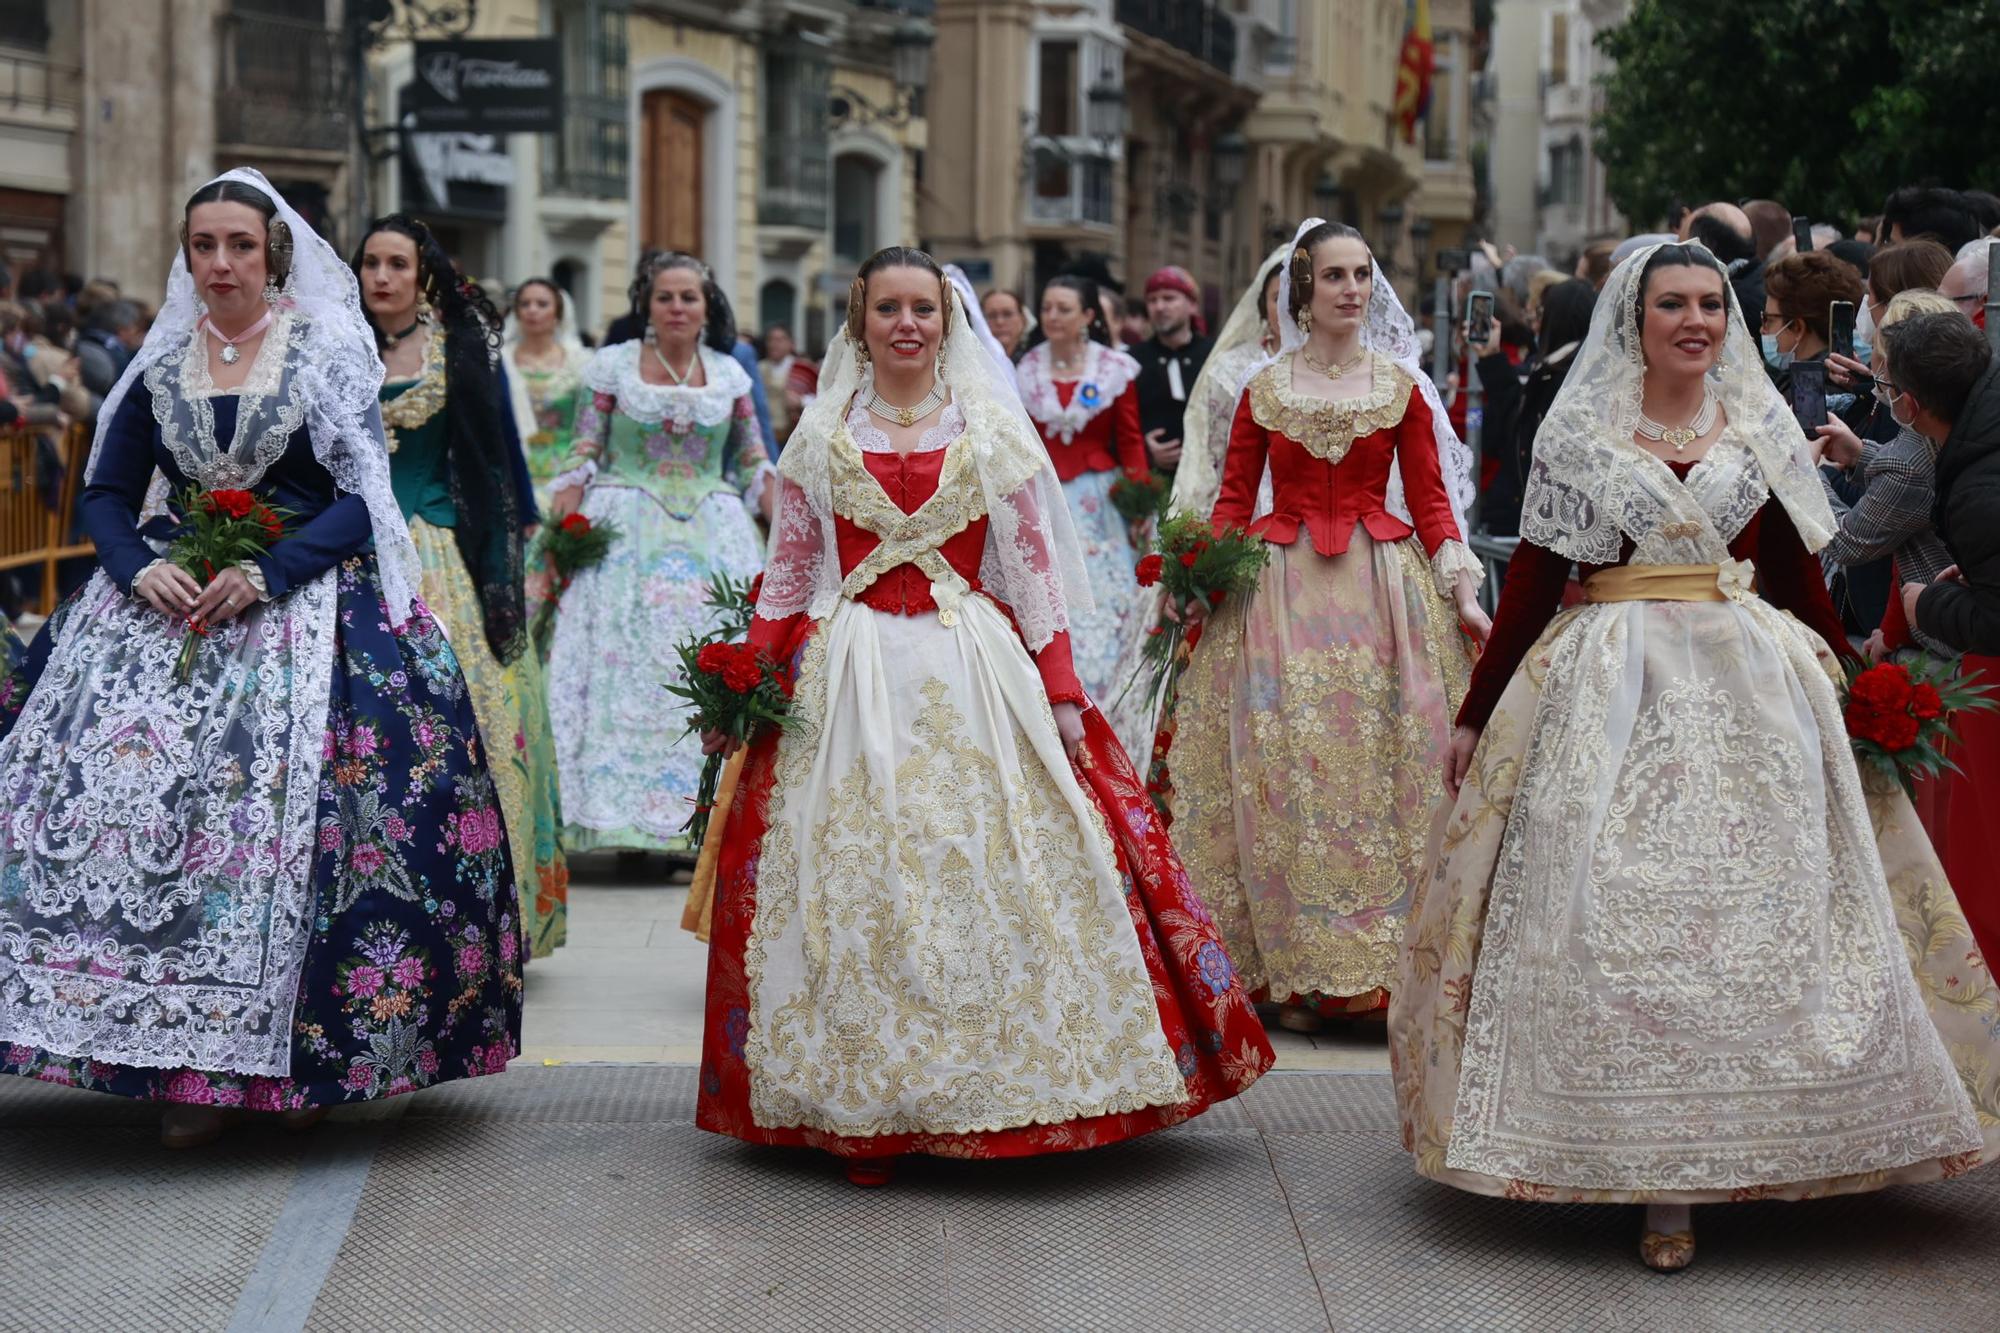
(947, 918)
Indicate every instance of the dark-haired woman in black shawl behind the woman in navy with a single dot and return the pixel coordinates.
(463, 485)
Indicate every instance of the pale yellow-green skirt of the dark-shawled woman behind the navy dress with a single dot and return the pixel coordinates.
(513, 712)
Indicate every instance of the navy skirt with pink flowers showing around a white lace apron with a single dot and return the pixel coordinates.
(413, 968)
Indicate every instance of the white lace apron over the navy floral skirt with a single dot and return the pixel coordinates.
(157, 844)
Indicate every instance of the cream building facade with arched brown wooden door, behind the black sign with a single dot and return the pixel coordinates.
(767, 137)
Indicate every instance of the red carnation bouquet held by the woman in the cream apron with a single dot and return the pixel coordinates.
(733, 688)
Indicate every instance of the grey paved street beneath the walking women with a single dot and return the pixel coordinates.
(575, 1194)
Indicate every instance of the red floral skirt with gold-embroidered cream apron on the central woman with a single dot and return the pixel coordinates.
(933, 934)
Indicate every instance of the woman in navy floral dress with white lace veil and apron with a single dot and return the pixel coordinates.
(281, 884)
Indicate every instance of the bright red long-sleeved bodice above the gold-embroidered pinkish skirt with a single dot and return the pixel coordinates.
(1329, 499)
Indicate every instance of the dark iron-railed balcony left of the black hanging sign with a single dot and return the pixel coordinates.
(285, 85)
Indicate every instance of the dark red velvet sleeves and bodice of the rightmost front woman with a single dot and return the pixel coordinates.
(1787, 575)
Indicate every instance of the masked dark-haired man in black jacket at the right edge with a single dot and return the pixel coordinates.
(1945, 385)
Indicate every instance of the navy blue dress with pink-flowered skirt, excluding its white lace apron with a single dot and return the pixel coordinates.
(413, 966)
